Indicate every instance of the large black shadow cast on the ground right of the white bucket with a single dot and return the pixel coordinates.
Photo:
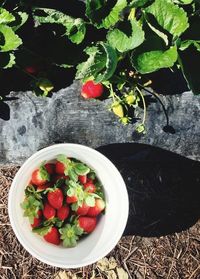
(163, 188)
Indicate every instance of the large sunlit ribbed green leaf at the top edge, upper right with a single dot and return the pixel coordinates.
(168, 15)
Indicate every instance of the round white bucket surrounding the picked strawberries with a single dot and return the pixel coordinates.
(109, 229)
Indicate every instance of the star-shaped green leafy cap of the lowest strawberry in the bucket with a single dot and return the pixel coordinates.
(70, 234)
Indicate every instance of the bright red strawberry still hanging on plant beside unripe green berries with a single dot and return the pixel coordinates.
(92, 90)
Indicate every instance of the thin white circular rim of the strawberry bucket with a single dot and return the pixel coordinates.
(32, 251)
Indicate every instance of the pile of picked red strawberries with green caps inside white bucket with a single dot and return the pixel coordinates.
(63, 201)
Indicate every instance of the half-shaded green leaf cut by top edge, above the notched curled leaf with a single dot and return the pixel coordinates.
(104, 14)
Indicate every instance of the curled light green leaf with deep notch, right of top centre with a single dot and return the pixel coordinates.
(122, 42)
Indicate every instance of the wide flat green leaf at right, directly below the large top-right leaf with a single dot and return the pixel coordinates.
(152, 61)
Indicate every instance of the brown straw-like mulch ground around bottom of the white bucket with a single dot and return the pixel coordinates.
(176, 256)
